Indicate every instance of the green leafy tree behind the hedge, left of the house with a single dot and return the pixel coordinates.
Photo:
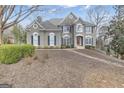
(19, 34)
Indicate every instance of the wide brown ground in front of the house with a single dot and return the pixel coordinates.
(63, 68)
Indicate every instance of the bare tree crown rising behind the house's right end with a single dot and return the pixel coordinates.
(99, 16)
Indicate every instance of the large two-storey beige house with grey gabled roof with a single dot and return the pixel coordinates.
(70, 31)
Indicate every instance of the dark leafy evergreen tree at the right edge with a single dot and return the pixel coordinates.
(117, 32)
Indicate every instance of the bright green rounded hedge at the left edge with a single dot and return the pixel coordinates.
(13, 53)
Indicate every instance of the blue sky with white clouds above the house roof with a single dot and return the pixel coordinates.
(60, 11)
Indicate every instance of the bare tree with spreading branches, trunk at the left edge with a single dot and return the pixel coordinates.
(13, 14)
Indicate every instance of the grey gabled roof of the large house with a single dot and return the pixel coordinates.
(53, 24)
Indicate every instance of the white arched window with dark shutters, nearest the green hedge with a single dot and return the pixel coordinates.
(35, 39)
